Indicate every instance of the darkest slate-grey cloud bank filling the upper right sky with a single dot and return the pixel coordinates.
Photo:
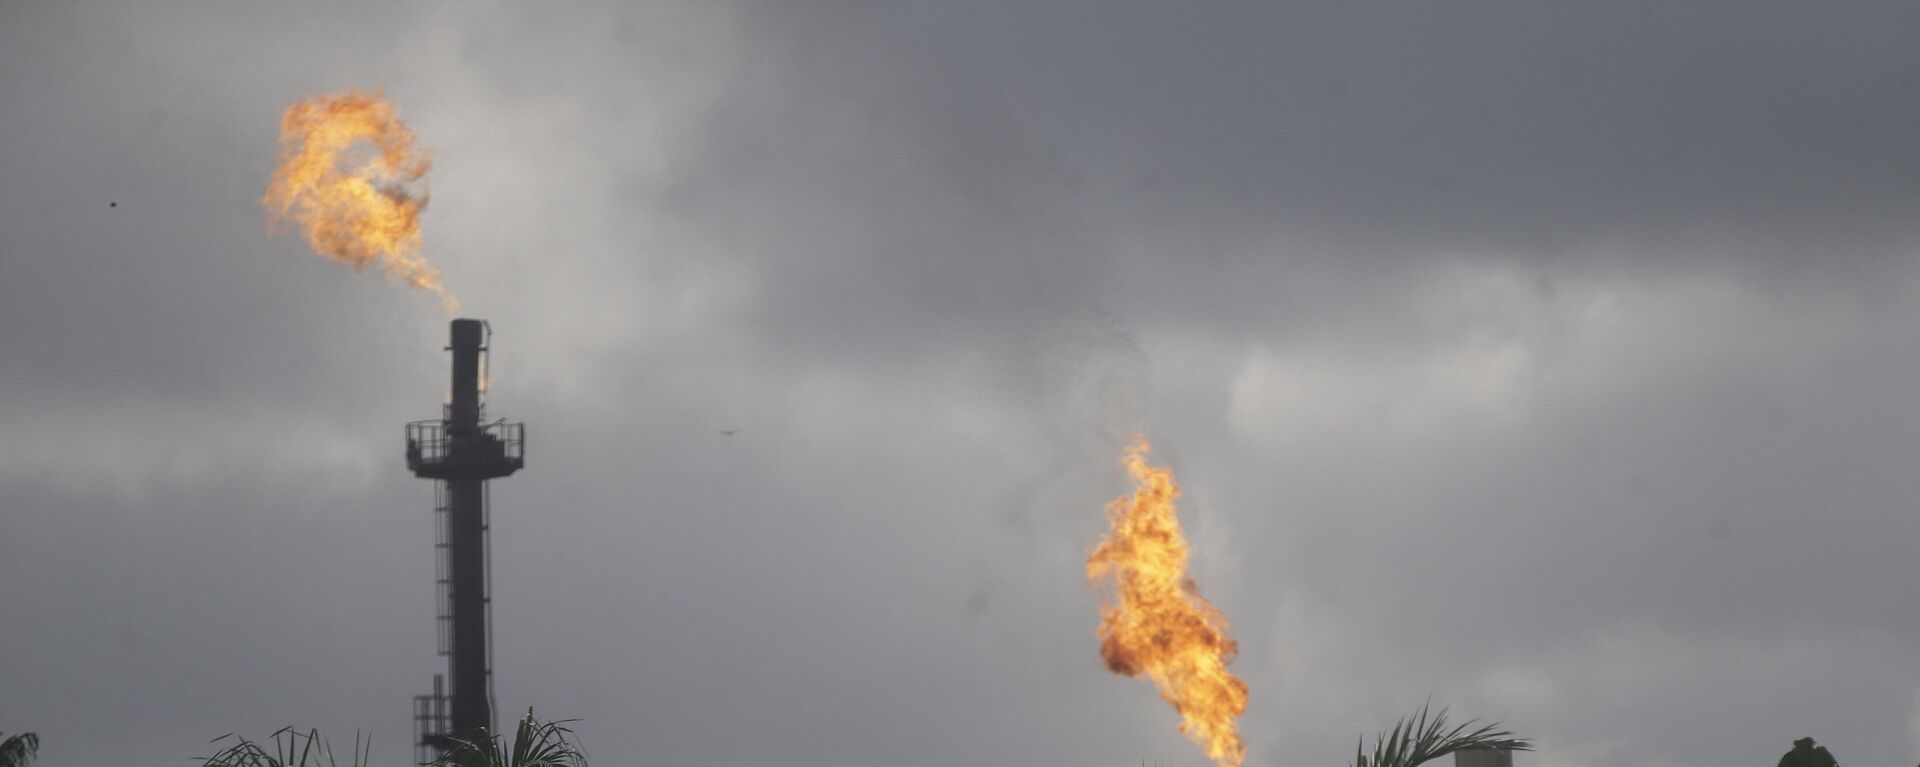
(1485, 126)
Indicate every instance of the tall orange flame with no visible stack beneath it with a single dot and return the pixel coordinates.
(1161, 626)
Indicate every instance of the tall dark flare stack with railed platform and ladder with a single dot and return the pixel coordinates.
(462, 453)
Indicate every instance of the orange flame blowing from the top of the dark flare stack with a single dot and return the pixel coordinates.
(368, 210)
